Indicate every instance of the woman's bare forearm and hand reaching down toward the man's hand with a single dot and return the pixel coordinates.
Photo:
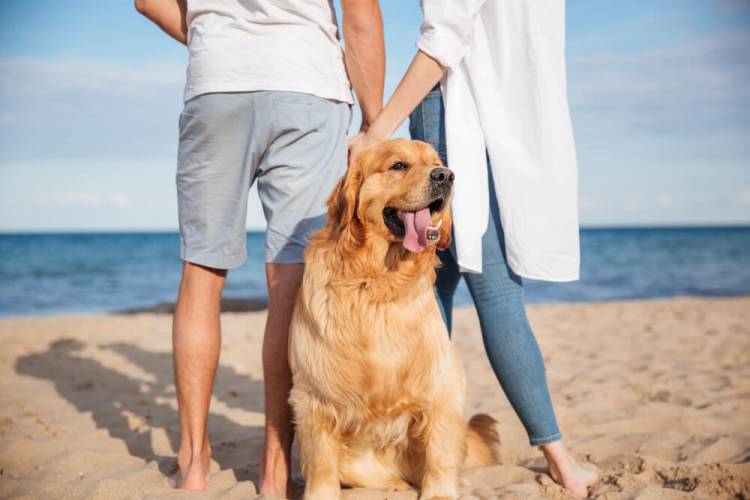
(423, 73)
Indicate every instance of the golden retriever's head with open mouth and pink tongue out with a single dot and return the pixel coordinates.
(398, 191)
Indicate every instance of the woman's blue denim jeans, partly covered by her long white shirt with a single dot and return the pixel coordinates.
(498, 296)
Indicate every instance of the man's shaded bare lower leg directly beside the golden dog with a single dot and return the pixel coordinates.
(283, 282)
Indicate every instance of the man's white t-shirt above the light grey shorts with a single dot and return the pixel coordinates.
(247, 45)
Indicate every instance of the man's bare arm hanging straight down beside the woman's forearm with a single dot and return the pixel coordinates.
(365, 55)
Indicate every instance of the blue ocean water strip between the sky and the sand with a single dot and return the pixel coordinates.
(43, 274)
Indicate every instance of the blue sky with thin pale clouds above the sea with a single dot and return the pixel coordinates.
(90, 93)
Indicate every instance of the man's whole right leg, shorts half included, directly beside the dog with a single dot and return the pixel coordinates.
(298, 169)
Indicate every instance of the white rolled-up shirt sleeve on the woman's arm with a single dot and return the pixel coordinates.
(447, 28)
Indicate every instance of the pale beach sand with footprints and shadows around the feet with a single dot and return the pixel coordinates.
(655, 393)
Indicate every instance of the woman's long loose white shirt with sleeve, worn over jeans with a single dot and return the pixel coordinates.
(505, 96)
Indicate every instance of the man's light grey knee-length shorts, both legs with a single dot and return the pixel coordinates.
(293, 144)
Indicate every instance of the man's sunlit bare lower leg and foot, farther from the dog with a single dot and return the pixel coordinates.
(196, 338)
